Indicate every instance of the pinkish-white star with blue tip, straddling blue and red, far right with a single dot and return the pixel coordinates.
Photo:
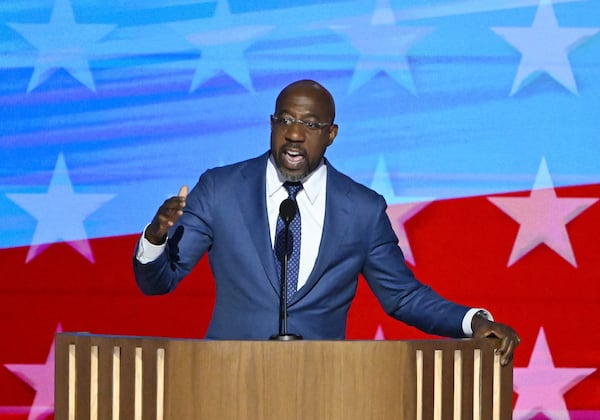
(542, 217)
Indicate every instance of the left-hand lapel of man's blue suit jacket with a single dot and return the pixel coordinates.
(252, 193)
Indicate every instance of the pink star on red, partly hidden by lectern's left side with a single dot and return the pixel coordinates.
(41, 378)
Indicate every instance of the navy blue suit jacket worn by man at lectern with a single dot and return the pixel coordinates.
(226, 216)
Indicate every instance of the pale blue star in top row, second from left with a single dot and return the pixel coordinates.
(223, 41)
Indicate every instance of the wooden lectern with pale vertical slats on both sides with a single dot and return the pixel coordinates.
(114, 377)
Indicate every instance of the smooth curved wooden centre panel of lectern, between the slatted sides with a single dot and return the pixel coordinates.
(264, 380)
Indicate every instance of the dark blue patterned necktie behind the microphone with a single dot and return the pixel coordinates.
(293, 244)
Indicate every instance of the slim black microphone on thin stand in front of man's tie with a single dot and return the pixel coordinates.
(287, 210)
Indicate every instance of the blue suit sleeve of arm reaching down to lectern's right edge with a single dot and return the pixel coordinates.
(401, 295)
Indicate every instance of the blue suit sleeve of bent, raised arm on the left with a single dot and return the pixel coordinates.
(188, 241)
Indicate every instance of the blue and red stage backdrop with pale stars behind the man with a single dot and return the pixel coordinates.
(477, 120)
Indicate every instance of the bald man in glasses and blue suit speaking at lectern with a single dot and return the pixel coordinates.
(232, 214)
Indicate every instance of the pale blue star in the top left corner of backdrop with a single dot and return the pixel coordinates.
(62, 43)
